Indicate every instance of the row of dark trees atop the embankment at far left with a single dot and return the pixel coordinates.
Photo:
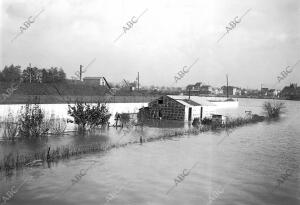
(32, 74)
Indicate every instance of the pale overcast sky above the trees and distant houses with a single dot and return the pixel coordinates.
(171, 34)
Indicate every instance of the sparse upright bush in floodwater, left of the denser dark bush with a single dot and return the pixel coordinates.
(32, 121)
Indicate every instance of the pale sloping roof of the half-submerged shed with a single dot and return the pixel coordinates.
(195, 100)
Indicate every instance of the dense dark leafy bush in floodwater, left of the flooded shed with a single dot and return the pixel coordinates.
(89, 115)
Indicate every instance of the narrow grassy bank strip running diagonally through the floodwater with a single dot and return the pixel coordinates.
(17, 160)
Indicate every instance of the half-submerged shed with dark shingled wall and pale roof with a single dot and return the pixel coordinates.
(179, 107)
